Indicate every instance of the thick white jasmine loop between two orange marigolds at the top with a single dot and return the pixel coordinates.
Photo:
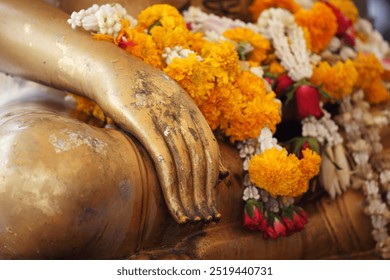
(278, 25)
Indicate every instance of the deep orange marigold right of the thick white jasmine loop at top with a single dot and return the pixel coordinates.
(321, 23)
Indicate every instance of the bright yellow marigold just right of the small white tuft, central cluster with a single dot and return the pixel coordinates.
(222, 61)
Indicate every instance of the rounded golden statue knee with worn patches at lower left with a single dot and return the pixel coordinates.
(67, 190)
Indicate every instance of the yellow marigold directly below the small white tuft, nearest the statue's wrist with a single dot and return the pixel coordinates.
(192, 76)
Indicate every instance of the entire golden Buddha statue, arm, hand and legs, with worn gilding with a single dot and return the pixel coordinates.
(72, 190)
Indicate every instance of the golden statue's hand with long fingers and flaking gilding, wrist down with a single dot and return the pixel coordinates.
(153, 108)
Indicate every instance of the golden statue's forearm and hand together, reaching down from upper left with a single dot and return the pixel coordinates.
(38, 44)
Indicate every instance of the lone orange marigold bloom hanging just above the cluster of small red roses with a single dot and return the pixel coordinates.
(282, 174)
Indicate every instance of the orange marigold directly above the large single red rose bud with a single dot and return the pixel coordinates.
(337, 80)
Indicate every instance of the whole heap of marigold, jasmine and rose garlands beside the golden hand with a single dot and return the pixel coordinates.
(298, 57)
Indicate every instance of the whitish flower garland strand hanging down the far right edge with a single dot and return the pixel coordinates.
(372, 169)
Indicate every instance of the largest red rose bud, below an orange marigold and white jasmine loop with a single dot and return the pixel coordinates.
(308, 102)
